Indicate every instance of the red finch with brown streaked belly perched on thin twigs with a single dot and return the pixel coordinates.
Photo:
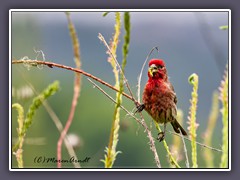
(159, 98)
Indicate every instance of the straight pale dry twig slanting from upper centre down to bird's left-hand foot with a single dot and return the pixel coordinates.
(125, 80)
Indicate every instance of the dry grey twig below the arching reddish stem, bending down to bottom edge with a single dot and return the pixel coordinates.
(142, 122)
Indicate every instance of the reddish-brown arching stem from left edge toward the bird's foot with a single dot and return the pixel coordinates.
(51, 65)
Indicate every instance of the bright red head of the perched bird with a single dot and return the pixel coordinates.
(157, 69)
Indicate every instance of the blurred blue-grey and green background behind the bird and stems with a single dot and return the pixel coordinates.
(189, 42)
